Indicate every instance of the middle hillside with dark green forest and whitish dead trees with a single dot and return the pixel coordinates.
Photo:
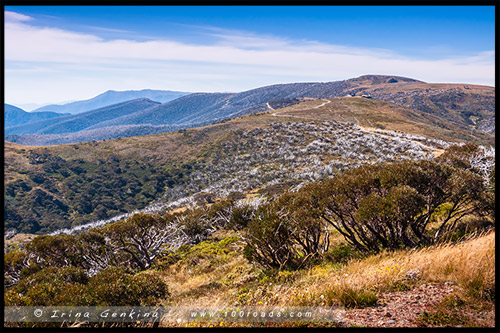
(66, 185)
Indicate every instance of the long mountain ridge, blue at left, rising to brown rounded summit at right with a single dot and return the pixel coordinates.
(450, 106)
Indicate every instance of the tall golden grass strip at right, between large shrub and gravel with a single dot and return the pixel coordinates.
(459, 263)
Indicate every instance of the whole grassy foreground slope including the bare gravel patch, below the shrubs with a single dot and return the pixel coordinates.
(436, 286)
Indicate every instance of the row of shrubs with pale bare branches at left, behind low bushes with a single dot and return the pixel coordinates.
(133, 243)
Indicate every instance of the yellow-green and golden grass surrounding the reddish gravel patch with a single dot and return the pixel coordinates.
(221, 276)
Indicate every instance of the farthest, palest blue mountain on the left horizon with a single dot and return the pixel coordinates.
(111, 97)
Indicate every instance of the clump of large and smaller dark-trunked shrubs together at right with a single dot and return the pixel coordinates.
(375, 207)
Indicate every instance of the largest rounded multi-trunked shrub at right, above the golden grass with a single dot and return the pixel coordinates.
(377, 206)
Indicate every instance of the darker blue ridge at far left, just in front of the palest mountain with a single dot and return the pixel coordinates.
(82, 121)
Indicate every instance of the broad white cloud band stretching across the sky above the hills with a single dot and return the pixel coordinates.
(236, 61)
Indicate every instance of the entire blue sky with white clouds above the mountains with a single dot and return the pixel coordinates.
(62, 53)
